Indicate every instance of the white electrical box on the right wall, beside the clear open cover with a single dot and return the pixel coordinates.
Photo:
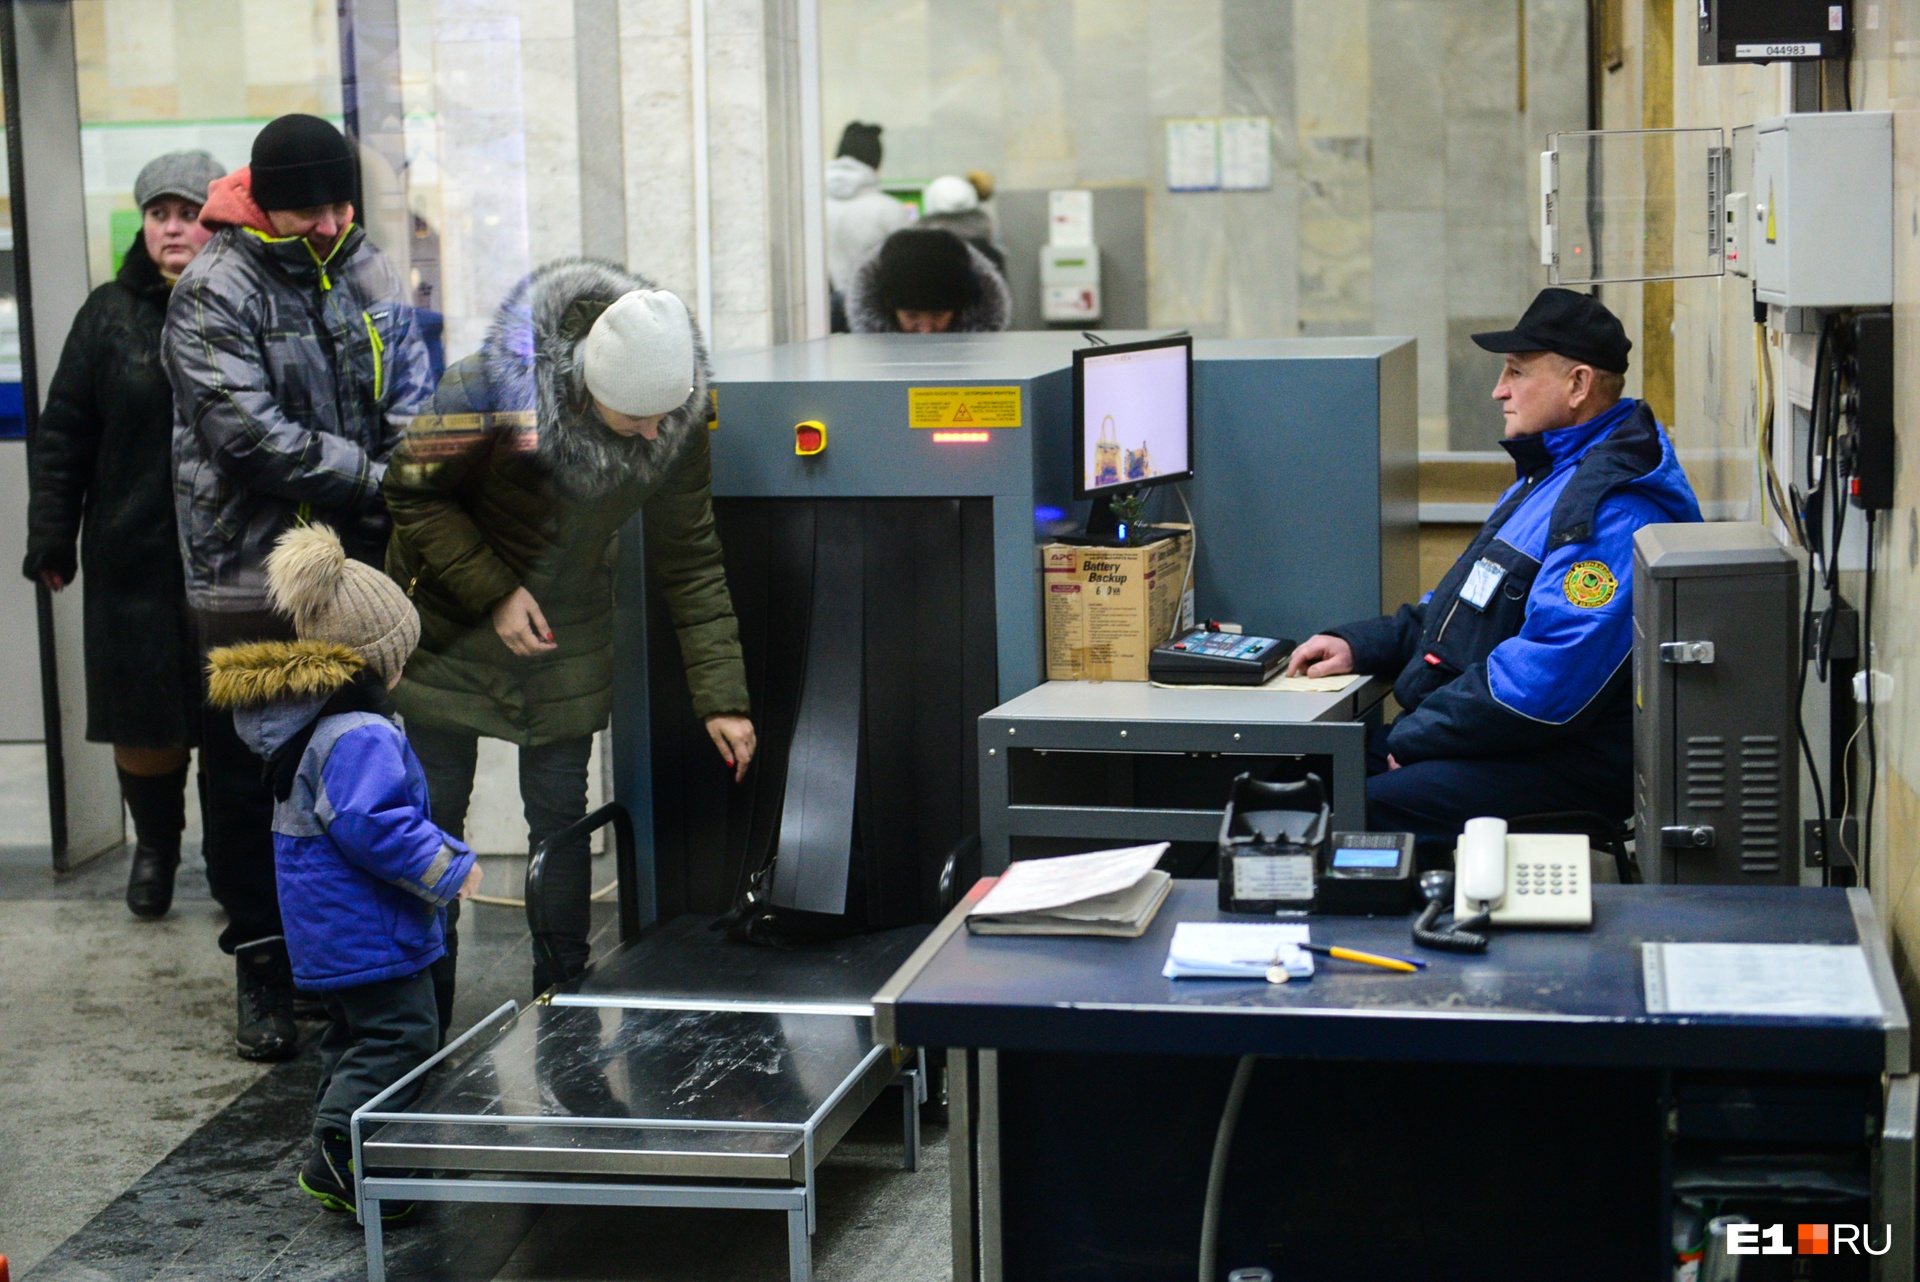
(1819, 231)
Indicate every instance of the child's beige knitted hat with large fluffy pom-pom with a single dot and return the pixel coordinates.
(337, 600)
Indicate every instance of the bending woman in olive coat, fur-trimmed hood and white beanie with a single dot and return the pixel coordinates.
(587, 404)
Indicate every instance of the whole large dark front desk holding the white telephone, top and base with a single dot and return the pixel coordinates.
(1086, 1070)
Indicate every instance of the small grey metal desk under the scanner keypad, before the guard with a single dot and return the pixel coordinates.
(1103, 724)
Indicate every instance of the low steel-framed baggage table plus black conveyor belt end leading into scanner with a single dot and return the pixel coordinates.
(683, 1072)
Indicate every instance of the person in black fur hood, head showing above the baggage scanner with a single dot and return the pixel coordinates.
(928, 281)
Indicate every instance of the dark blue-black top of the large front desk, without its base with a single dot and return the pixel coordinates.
(1535, 997)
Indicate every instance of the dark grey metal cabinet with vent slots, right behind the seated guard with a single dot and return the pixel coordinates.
(1716, 686)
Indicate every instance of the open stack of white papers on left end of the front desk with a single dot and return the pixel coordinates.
(1101, 893)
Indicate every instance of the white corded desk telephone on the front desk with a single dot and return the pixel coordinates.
(1524, 878)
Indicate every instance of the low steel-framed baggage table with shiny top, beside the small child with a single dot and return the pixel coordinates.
(502, 1114)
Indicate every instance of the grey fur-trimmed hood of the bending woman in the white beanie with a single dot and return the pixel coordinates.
(533, 360)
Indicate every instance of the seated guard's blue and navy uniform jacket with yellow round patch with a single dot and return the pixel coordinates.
(1525, 644)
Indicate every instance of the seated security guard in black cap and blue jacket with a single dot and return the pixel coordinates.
(1514, 673)
